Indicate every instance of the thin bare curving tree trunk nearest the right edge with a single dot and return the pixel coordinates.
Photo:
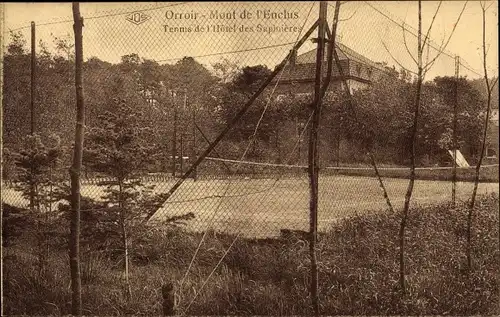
(489, 88)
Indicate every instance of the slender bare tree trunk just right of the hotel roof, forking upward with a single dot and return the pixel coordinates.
(409, 190)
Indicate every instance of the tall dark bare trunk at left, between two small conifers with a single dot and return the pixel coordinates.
(74, 248)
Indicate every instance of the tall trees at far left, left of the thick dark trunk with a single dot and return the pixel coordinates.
(52, 92)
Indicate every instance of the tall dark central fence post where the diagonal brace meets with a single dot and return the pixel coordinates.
(313, 157)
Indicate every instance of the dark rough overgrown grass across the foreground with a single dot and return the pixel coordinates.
(357, 259)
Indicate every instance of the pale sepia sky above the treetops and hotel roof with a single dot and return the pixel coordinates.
(251, 33)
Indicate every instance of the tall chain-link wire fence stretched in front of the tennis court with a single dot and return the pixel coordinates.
(198, 116)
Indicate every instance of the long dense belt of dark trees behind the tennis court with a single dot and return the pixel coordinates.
(180, 94)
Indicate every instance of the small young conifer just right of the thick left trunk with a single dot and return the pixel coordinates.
(115, 149)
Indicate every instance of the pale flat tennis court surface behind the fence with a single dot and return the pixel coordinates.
(262, 207)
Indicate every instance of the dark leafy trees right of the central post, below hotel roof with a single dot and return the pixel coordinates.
(384, 112)
